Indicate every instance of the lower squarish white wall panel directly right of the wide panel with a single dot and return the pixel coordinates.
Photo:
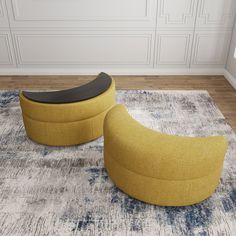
(173, 48)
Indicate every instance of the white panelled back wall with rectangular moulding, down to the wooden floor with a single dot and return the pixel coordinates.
(124, 37)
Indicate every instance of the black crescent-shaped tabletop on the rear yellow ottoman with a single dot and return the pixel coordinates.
(84, 92)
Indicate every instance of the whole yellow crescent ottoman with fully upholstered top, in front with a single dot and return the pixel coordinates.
(158, 168)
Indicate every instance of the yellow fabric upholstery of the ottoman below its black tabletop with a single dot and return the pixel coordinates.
(66, 124)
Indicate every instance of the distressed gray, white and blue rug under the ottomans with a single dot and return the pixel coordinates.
(66, 191)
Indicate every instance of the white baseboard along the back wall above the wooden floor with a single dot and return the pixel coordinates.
(113, 71)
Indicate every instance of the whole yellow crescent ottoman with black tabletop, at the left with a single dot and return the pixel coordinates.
(68, 117)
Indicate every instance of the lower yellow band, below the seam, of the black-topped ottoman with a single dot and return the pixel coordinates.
(65, 133)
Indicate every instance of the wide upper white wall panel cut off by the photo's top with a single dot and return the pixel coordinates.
(82, 13)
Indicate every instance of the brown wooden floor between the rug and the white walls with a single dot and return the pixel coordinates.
(223, 94)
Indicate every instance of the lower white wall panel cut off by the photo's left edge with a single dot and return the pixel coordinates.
(6, 51)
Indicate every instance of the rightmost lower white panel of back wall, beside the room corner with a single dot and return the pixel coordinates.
(210, 48)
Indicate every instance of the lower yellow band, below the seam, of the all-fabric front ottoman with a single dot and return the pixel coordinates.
(159, 191)
